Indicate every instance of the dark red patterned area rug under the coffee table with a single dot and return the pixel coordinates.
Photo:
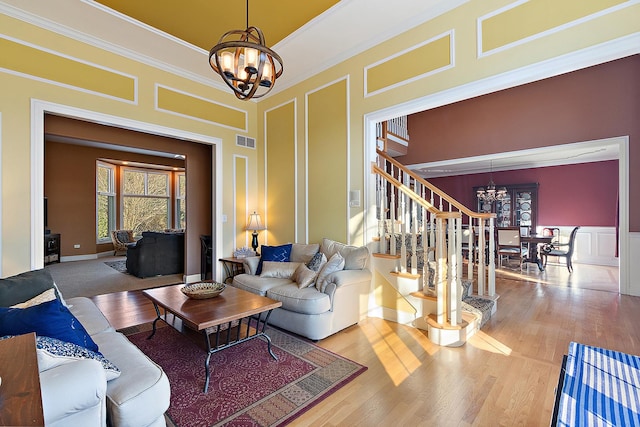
(247, 387)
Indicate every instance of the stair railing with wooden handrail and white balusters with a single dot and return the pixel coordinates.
(411, 210)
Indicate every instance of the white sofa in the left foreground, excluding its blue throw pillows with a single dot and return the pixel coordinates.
(75, 390)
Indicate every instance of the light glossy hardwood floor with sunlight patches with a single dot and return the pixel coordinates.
(504, 375)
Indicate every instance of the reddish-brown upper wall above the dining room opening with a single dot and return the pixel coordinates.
(593, 103)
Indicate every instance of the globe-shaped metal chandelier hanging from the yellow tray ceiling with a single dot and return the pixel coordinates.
(245, 63)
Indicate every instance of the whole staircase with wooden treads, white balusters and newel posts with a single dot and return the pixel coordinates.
(422, 236)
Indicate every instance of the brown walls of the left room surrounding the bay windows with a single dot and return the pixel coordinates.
(70, 182)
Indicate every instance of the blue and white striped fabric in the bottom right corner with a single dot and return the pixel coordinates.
(601, 388)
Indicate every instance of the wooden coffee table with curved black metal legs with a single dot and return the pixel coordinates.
(217, 316)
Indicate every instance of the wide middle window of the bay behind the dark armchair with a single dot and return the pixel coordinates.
(145, 200)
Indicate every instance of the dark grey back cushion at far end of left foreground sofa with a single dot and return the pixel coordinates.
(24, 286)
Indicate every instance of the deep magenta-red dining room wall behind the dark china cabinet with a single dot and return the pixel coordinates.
(584, 194)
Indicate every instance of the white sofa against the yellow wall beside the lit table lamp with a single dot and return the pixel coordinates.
(331, 303)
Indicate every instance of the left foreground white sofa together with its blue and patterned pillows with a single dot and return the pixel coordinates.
(90, 375)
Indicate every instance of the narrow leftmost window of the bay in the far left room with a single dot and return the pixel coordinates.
(105, 201)
